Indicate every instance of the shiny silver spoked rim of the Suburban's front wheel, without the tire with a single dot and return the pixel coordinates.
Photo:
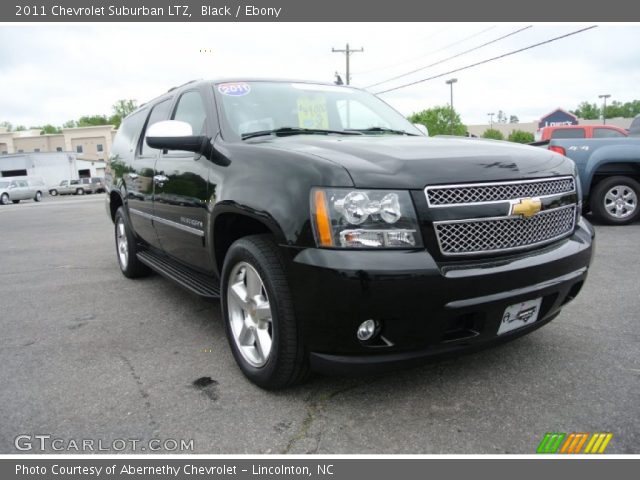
(250, 314)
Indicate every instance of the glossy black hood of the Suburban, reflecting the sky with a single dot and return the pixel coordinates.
(414, 162)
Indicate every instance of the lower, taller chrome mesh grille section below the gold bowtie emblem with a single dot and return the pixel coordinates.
(476, 236)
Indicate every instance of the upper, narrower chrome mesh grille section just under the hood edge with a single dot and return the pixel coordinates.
(498, 192)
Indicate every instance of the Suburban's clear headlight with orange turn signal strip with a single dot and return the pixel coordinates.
(351, 218)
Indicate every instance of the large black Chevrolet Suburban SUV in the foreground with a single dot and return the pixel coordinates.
(336, 235)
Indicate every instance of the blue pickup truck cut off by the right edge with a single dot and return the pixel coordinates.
(609, 172)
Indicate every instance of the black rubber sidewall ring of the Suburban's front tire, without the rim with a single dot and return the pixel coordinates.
(243, 251)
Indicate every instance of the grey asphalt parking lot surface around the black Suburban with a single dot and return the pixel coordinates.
(88, 354)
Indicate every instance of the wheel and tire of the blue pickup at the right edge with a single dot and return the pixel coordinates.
(614, 200)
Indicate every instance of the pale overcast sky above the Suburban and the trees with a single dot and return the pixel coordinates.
(54, 73)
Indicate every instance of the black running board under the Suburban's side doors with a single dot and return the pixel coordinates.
(196, 282)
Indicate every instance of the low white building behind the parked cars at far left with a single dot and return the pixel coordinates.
(53, 167)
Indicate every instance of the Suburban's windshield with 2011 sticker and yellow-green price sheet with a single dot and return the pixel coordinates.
(249, 107)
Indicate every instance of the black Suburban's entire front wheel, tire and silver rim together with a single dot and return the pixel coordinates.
(259, 319)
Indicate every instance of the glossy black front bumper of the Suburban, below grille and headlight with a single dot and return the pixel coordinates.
(426, 308)
